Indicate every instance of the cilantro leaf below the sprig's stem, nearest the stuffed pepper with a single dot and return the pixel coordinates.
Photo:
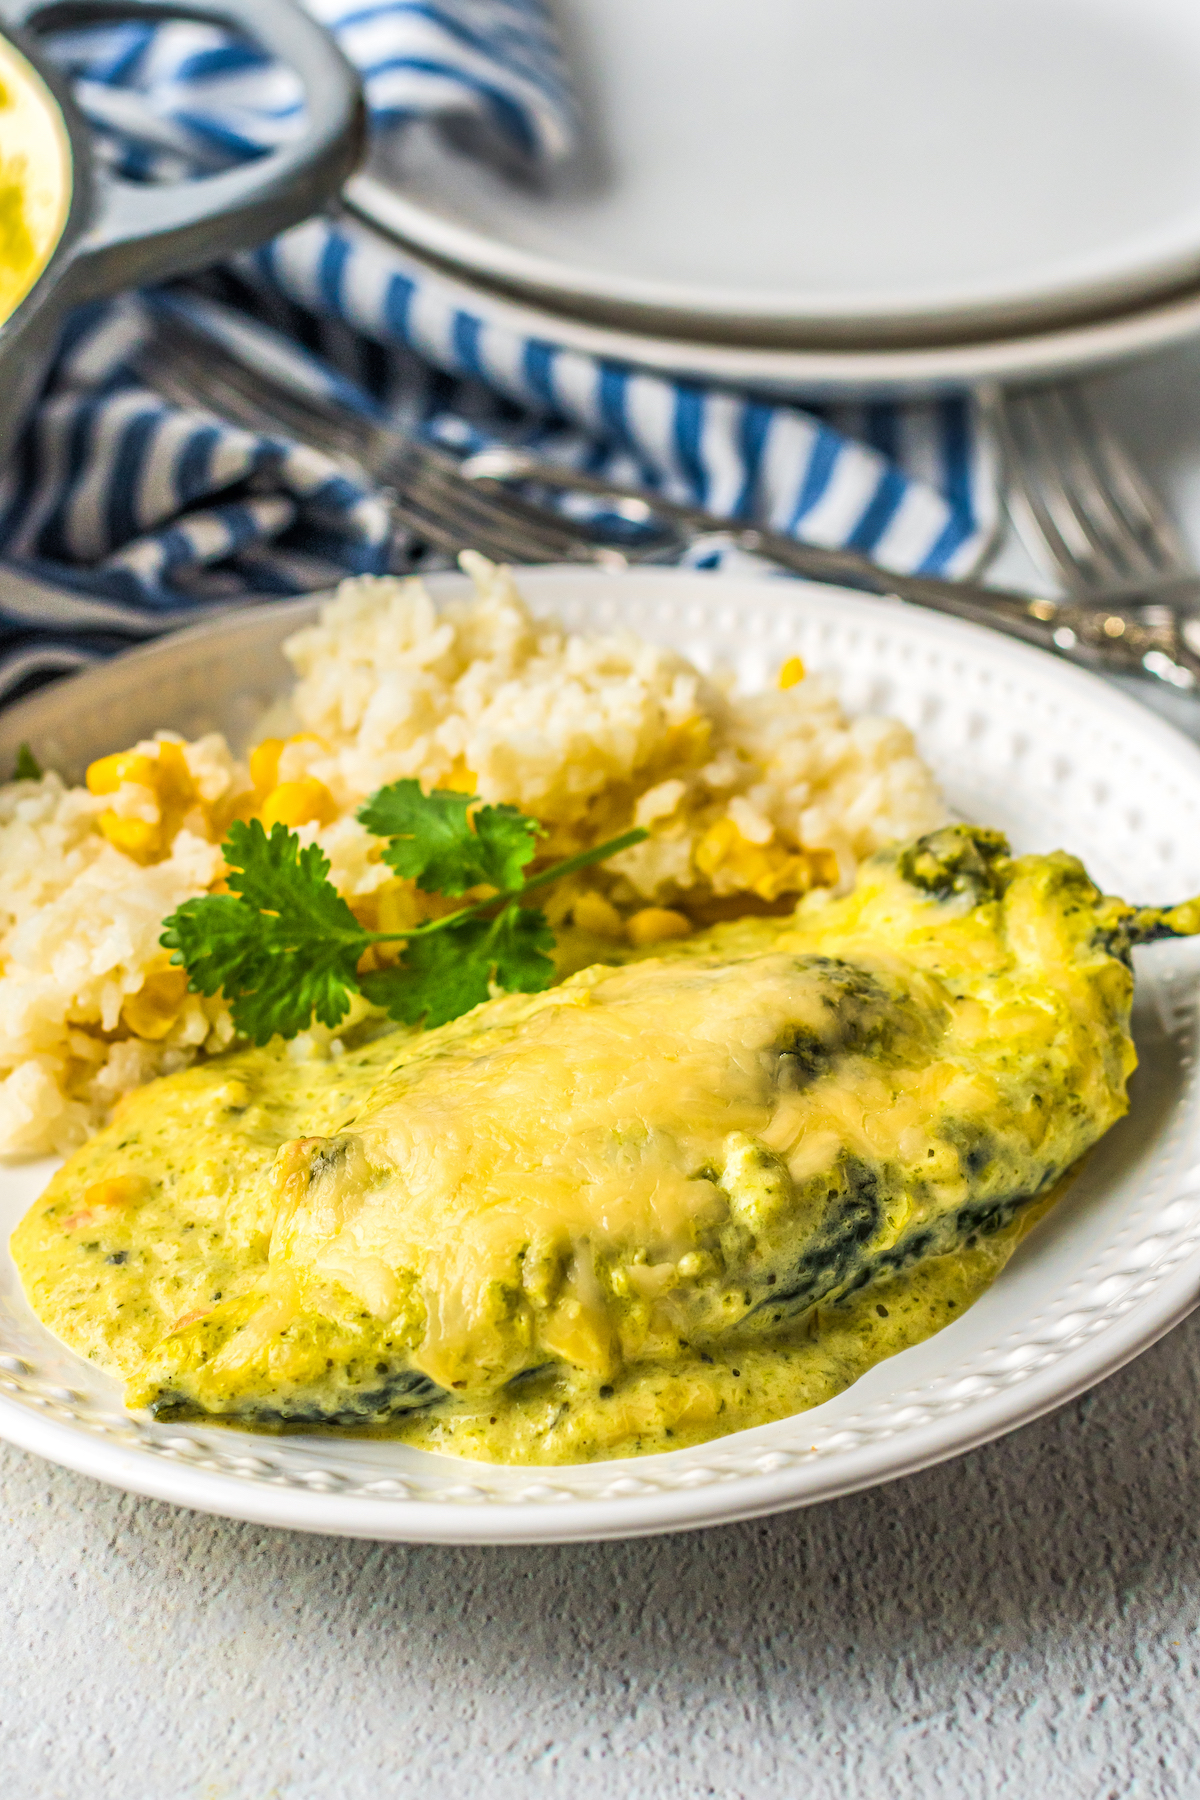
(451, 971)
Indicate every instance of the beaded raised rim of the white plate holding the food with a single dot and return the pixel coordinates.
(1142, 1281)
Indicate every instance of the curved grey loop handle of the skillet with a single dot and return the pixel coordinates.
(147, 235)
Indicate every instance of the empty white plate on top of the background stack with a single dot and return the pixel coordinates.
(855, 174)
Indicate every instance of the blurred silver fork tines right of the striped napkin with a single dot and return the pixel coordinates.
(1077, 494)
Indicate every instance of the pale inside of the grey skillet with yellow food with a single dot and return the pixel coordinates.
(35, 177)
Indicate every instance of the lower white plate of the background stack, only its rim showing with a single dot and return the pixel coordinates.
(810, 375)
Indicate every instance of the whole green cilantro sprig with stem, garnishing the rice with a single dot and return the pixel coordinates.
(285, 948)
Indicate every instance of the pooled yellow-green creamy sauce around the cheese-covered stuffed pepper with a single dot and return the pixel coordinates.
(114, 1281)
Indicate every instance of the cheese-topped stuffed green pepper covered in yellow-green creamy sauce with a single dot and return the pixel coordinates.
(661, 1203)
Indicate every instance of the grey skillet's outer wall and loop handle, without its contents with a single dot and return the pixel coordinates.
(123, 235)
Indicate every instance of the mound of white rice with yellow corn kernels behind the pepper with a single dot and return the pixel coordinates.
(749, 804)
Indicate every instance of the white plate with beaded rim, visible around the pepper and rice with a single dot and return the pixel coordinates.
(1019, 741)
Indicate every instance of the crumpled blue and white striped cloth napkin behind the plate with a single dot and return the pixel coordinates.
(152, 516)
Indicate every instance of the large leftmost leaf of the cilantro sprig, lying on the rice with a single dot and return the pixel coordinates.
(282, 946)
